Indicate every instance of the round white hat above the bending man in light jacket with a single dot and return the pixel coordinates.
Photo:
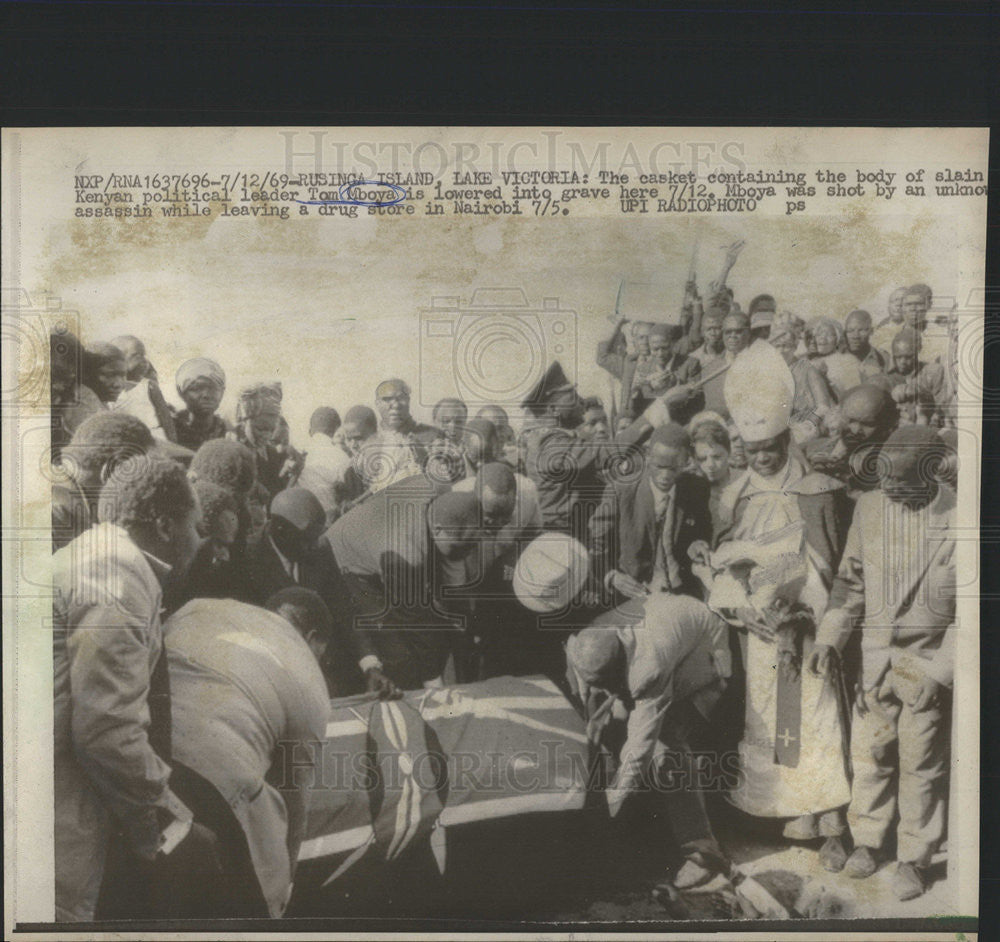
(550, 572)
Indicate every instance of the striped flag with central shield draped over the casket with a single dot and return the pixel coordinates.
(394, 773)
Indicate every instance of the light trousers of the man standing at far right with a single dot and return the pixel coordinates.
(900, 764)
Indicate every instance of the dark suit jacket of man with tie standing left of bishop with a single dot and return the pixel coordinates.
(623, 531)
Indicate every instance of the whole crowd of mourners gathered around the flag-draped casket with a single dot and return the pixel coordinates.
(747, 553)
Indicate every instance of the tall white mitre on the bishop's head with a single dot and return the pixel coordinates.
(759, 391)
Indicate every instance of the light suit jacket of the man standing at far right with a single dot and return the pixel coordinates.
(901, 590)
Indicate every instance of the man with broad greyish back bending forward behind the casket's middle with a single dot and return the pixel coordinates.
(399, 552)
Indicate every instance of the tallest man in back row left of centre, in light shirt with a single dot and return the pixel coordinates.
(398, 449)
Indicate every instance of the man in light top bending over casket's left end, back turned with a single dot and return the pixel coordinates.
(249, 706)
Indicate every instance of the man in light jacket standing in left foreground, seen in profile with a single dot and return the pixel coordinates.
(112, 701)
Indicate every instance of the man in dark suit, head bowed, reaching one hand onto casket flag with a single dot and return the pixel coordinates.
(292, 552)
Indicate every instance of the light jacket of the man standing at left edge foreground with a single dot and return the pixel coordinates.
(112, 728)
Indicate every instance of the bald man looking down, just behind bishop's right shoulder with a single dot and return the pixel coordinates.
(869, 415)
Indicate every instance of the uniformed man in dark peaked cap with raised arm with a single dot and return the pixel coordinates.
(557, 459)
